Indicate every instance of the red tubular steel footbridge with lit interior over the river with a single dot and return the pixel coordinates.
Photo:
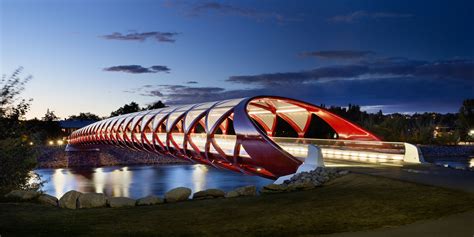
(264, 135)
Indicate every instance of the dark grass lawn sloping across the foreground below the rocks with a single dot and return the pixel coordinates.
(351, 203)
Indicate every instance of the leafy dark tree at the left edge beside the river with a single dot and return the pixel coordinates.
(17, 158)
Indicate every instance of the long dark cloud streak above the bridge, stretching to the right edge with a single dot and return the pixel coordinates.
(364, 70)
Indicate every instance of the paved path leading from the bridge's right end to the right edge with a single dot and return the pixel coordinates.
(423, 174)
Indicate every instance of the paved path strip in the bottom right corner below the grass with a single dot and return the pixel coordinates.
(450, 226)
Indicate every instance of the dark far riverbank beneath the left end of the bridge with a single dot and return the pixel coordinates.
(56, 157)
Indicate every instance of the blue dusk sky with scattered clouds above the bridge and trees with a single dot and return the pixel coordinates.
(95, 56)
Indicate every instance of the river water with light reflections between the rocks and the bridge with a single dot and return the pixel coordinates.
(139, 181)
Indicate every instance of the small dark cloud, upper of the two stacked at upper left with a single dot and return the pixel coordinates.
(156, 35)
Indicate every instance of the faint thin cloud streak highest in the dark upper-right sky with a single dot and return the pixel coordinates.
(364, 15)
